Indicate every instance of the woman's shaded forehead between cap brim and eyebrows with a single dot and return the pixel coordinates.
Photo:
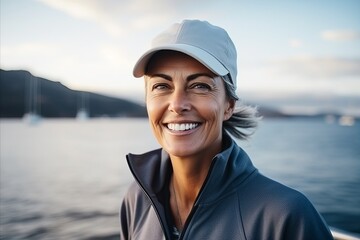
(174, 61)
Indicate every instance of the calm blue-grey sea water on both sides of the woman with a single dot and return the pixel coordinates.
(64, 179)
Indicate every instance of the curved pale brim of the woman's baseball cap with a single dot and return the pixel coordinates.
(200, 55)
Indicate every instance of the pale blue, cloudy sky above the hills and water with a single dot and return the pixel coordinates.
(303, 54)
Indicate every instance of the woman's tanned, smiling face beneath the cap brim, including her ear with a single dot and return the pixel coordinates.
(186, 104)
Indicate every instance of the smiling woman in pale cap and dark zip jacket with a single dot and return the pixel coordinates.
(201, 184)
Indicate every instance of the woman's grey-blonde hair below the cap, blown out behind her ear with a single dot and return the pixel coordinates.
(244, 120)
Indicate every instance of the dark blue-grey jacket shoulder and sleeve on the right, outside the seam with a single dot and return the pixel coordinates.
(279, 211)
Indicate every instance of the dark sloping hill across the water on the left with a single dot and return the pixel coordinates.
(21, 92)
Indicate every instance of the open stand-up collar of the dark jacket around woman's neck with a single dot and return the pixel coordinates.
(229, 169)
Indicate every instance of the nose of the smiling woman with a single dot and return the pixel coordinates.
(179, 102)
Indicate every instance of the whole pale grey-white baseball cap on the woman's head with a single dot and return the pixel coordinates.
(208, 44)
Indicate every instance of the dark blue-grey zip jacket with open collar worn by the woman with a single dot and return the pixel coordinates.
(235, 202)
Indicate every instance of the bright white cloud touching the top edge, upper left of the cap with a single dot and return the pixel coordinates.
(120, 17)
